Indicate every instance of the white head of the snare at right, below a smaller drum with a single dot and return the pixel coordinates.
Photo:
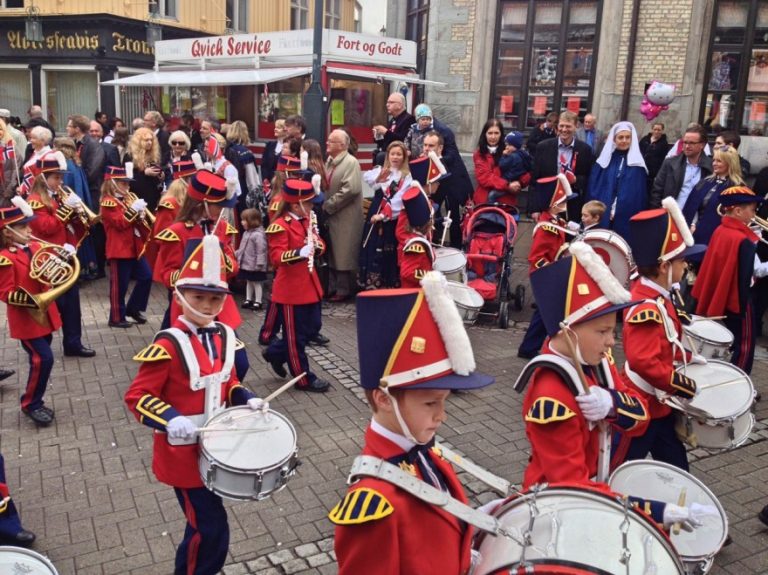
(723, 389)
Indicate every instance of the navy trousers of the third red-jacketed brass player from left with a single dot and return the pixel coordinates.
(122, 271)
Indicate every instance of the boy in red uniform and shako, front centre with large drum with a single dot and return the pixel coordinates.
(409, 364)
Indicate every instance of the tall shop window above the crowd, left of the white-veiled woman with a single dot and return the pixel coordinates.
(546, 51)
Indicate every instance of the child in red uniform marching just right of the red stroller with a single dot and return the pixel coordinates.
(548, 237)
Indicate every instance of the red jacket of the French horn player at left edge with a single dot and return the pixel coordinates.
(16, 287)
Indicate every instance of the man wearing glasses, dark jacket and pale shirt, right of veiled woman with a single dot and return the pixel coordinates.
(679, 174)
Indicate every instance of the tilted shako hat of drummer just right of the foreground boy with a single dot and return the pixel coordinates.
(577, 289)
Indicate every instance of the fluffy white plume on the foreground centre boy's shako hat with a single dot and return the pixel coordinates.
(449, 323)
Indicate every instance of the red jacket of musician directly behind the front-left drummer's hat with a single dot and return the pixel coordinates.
(172, 243)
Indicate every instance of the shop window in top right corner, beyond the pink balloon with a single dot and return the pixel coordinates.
(737, 70)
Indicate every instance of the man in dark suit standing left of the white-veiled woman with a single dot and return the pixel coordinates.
(562, 155)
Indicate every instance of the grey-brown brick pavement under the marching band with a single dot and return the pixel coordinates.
(85, 486)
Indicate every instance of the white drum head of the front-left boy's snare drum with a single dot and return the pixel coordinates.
(248, 442)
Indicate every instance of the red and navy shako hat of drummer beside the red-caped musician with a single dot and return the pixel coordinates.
(661, 235)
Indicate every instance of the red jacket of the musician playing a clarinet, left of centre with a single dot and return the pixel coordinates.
(294, 284)
